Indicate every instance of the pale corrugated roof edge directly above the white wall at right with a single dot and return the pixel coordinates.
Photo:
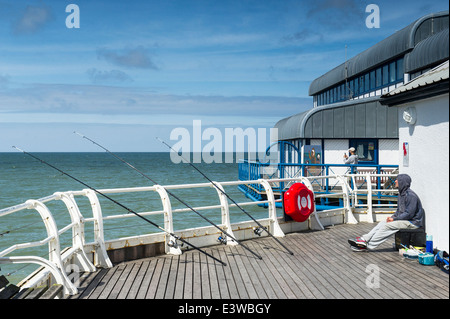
(429, 84)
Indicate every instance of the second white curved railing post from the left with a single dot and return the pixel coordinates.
(78, 239)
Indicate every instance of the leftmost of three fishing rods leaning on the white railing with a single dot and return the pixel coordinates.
(121, 205)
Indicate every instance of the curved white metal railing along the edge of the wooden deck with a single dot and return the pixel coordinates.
(58, 259)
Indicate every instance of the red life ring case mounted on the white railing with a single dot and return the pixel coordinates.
(299, 202)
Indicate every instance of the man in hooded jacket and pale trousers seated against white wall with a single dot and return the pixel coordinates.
(409, 214)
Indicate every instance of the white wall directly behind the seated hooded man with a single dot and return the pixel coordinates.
(428, 162)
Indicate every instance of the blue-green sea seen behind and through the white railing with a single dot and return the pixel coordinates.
(23, 177)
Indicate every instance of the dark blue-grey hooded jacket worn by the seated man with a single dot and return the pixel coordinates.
(409, 206)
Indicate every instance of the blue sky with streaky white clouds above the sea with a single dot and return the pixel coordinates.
(136, 70)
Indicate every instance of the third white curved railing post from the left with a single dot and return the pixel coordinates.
(101, 258)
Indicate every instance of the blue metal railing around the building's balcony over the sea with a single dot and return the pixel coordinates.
(251, 170)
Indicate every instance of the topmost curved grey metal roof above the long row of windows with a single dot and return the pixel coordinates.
(396, 45)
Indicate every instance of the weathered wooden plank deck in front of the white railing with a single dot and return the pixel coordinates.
(322, 267)
